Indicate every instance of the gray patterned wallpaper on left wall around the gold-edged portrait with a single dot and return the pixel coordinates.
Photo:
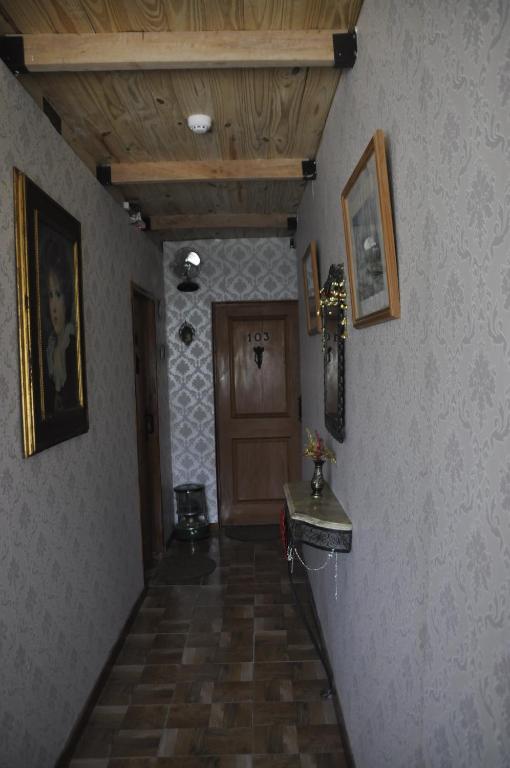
(70, 549)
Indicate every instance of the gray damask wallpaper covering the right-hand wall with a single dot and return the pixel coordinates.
(420, 633)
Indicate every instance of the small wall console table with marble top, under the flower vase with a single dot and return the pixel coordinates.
(321, 523)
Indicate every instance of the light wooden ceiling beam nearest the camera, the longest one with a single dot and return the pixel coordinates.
(178, 50)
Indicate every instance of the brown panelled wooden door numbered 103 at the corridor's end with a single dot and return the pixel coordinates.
(257, 408)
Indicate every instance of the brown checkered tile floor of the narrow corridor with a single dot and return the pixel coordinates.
(216, 674)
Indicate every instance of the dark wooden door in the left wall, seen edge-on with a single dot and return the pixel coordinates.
(147, 425)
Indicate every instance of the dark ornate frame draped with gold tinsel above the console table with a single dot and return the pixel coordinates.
(333, 342)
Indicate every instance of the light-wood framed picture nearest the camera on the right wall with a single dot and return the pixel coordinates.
(369, 239)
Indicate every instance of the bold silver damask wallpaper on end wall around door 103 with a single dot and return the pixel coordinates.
(233, 270)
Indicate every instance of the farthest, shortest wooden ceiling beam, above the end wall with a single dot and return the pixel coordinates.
(223, 221)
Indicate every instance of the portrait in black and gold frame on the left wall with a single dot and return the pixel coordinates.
(52, 349)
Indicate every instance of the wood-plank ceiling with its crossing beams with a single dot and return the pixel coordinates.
(123, 75)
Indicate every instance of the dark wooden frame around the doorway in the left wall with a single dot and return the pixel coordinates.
(157, 544)
